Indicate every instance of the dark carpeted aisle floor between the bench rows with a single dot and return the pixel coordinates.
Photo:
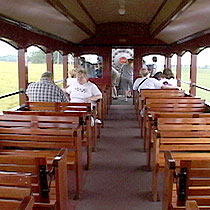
(118, 180)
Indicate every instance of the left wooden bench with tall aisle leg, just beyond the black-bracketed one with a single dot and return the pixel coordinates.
(44, 134)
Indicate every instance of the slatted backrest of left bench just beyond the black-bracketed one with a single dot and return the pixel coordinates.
(31, 131)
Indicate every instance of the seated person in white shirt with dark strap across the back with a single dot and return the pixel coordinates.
(148, 83)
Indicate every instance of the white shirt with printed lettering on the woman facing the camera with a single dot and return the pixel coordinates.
(79, 93)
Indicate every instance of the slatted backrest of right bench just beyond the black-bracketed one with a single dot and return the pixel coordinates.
(183, 134)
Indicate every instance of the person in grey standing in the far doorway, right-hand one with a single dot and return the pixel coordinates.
(127, 77)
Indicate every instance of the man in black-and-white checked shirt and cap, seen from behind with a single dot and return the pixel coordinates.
(45, 90)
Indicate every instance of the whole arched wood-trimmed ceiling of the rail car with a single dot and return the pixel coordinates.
(145, 22)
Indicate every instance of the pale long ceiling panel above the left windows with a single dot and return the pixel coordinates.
(42, 16)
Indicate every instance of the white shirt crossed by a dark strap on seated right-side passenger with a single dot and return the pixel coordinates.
(149, 83)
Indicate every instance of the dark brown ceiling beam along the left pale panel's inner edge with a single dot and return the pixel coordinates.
(56, 4)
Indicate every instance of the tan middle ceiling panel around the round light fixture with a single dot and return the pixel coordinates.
(104, 11)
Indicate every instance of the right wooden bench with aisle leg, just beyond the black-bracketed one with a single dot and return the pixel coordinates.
(180, 136)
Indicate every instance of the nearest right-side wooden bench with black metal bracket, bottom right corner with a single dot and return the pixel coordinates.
(189, 181)
